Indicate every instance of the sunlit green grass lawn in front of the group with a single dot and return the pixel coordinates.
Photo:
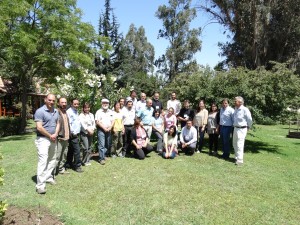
(187, 190)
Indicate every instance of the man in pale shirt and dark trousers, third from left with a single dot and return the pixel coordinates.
(75, 127)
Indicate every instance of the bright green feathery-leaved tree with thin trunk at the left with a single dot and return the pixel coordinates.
(42, 39)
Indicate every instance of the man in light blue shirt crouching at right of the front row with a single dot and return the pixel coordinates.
(188, 138)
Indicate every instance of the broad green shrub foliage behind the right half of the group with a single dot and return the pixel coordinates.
(268, 93)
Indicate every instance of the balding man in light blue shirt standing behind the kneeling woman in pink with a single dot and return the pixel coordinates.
(146, 117)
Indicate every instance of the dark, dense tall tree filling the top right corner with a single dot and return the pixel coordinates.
(262, 31)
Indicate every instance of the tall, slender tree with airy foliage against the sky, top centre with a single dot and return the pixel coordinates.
(184, 42)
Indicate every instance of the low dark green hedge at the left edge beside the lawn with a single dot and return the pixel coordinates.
(9, 126)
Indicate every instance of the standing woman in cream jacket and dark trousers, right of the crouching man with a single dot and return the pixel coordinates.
(200, 121)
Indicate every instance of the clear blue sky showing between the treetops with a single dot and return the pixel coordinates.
(142, 13)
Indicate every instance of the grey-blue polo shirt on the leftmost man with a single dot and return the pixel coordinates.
(48, 118)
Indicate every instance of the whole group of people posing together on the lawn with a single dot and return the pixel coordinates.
(126, 128)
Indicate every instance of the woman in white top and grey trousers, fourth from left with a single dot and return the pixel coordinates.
(88, 127)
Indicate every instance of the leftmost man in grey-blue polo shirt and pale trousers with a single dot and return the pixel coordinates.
(47, 127)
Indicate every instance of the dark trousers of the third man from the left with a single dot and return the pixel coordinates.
(73, 153)
